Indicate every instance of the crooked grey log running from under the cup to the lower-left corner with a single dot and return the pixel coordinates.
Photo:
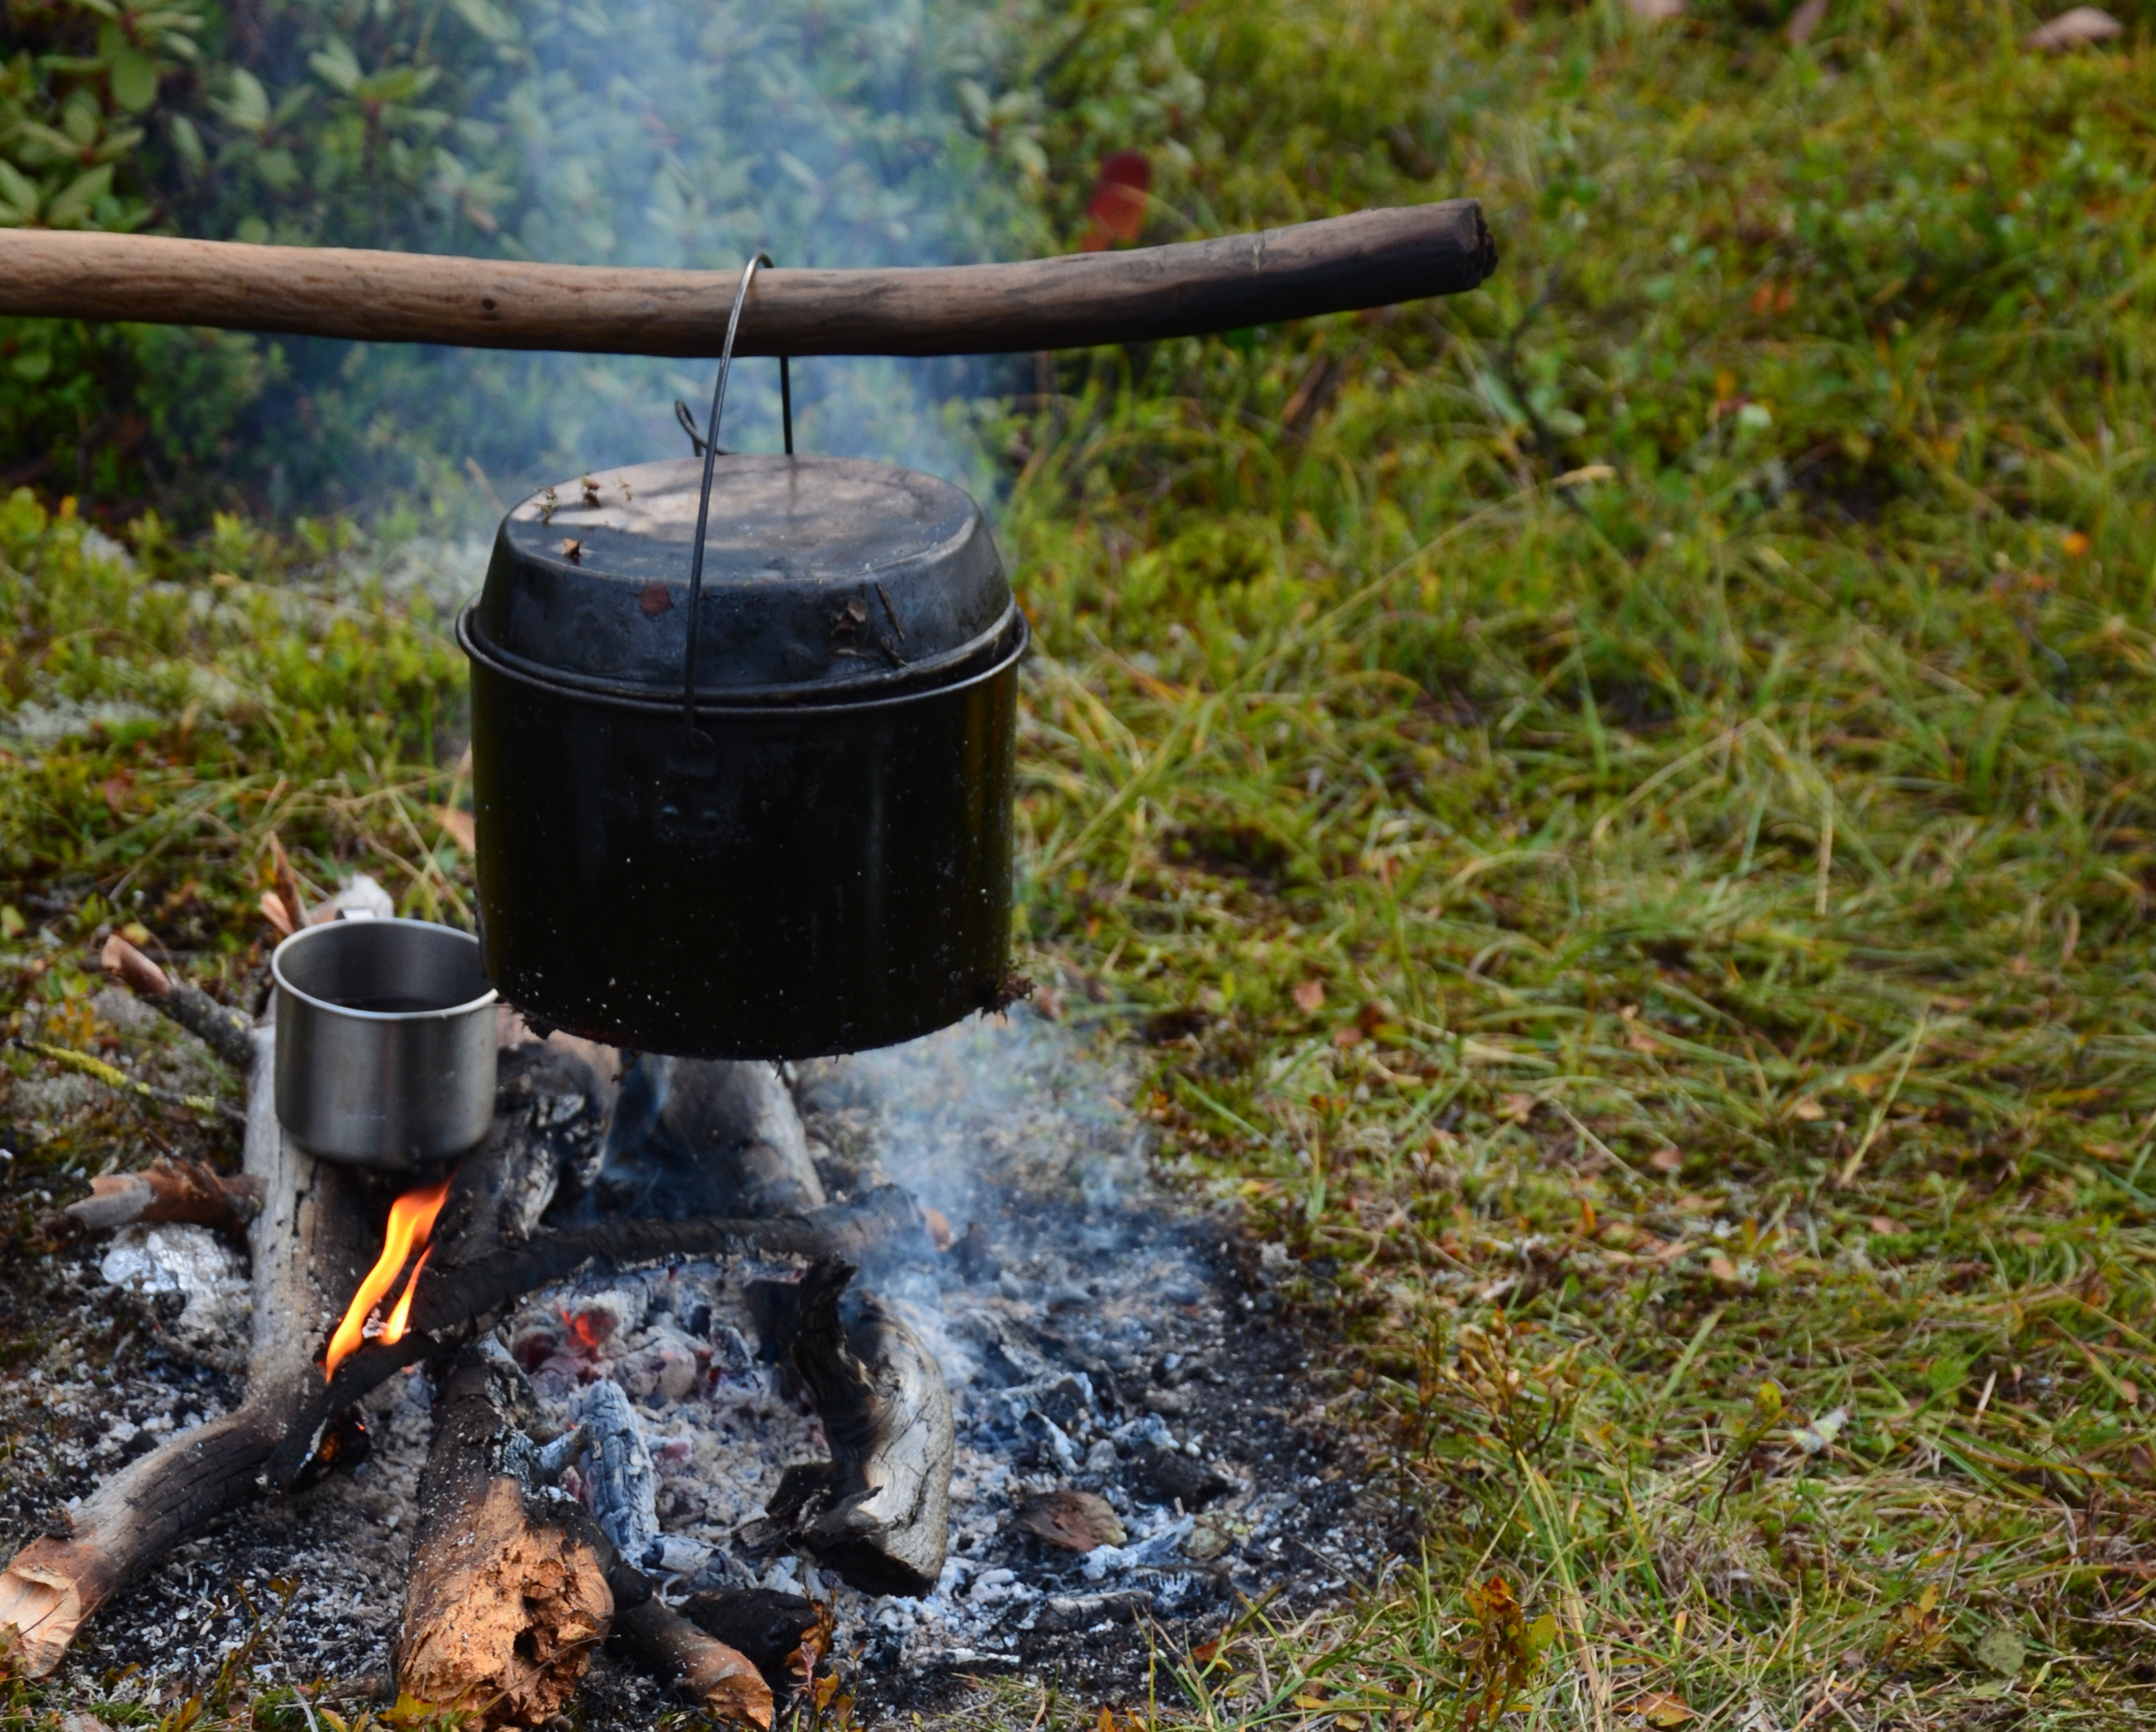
(312, 1241)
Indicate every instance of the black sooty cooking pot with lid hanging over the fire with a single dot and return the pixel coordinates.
(807, 851)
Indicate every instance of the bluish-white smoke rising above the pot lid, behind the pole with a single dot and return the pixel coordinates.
(687, 135)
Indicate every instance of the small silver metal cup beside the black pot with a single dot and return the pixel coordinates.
(385, 1043)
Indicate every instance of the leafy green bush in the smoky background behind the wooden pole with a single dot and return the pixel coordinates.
(639, 133)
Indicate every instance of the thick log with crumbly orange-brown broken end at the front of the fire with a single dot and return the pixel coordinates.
(508, 1589)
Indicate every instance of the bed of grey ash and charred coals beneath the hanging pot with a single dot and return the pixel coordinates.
(1101, 1429)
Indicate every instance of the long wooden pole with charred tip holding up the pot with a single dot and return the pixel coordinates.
(1073, 303)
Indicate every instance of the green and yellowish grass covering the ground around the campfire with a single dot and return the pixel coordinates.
(1620, 810)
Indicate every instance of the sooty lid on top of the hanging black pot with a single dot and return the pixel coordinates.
(823, 579)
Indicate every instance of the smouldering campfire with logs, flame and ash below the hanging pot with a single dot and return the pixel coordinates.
(728, 1375)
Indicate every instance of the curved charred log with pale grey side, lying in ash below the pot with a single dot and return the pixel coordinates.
(879, 1511)
